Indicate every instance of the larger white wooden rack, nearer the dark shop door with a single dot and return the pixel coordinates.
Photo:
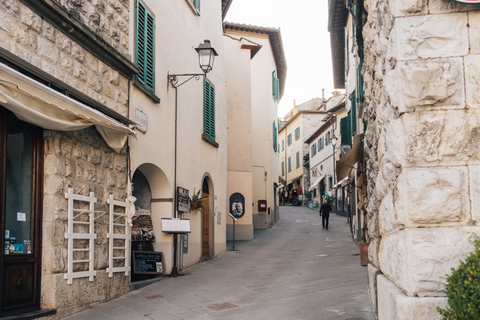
(76, 239)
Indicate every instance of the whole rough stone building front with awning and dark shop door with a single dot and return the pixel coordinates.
(62, 71)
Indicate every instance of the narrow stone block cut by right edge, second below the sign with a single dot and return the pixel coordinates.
(472, 78)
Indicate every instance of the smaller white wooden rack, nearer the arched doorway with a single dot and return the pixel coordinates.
(118, 221)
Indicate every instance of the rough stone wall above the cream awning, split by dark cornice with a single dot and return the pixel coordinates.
(28, 36)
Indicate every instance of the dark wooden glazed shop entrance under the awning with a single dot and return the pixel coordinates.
(20, 214)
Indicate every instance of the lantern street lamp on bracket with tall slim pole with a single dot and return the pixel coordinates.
(206, 56)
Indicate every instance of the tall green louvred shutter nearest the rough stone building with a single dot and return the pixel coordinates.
(145, 46)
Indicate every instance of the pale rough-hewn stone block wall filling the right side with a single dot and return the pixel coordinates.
(422, 149)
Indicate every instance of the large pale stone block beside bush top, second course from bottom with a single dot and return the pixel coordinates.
(419, 259)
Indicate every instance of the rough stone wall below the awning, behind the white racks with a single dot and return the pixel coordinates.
(82, 160)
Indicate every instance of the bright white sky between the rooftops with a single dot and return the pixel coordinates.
(306, 43)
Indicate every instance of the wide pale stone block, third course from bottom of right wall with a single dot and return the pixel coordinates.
(433, 196)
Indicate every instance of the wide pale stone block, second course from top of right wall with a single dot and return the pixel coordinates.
(420, 37)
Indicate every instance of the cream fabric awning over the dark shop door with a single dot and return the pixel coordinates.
(42, 106)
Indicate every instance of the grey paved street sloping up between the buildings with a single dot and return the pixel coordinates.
(295, 270)
